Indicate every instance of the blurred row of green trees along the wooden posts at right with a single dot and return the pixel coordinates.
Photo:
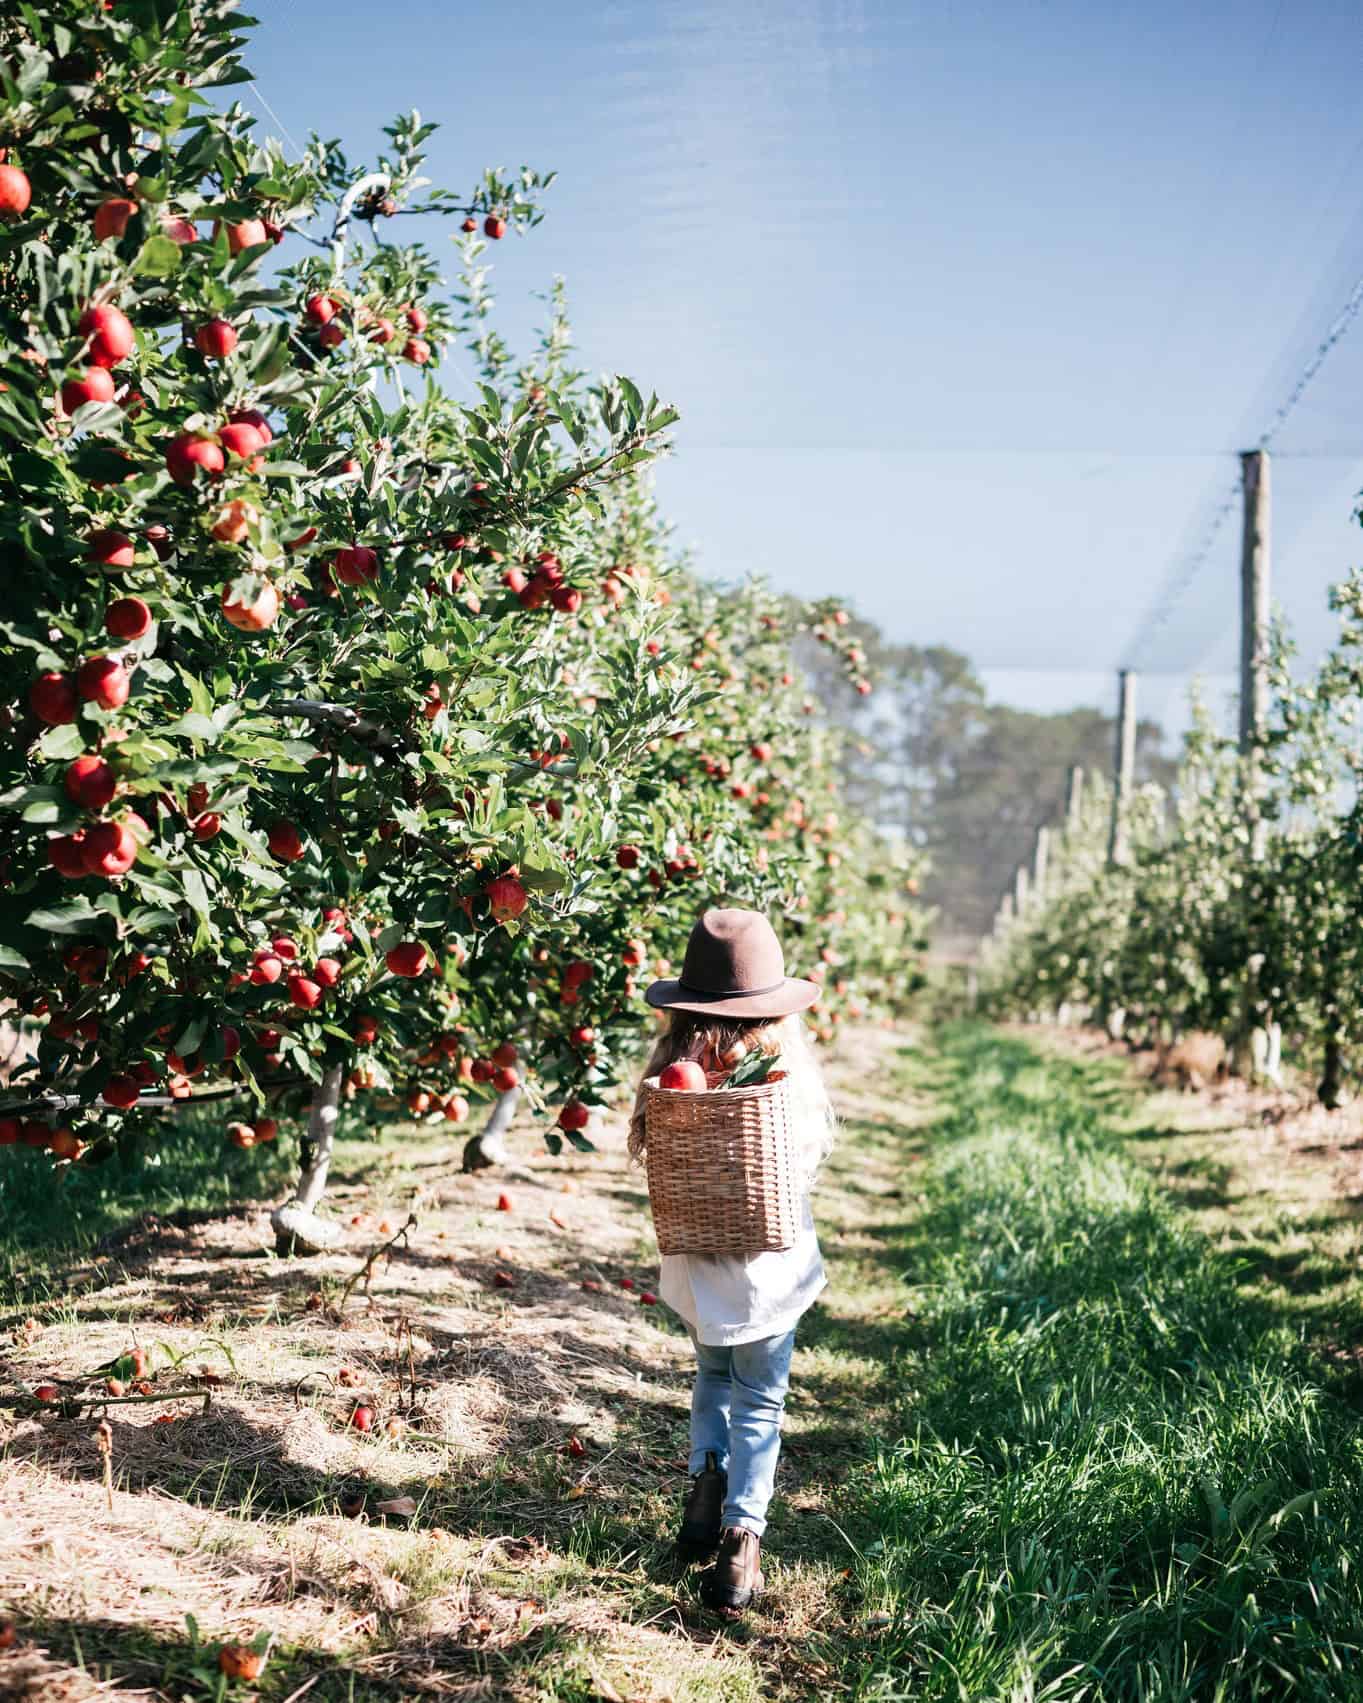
(1239, 907)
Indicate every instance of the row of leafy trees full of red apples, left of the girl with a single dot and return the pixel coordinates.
(360, 740)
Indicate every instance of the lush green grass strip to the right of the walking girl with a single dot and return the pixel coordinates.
(1119, 1476)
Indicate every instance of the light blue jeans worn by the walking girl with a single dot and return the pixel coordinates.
(737, 1406)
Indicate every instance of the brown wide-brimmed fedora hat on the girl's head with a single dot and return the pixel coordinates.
(733, 968)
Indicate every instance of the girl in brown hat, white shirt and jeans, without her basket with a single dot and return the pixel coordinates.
(742, 1310)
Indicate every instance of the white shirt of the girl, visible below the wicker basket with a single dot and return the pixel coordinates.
(730, 1299)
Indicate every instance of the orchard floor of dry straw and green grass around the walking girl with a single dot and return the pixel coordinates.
(1047, 1440)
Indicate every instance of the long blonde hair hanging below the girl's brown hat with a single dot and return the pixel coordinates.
(716, 1041)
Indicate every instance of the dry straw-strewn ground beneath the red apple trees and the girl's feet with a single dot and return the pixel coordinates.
(527, 1571)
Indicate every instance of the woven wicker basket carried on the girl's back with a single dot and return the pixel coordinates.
(722, 1166)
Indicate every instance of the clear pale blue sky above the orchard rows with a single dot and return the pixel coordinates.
(967, 306)
